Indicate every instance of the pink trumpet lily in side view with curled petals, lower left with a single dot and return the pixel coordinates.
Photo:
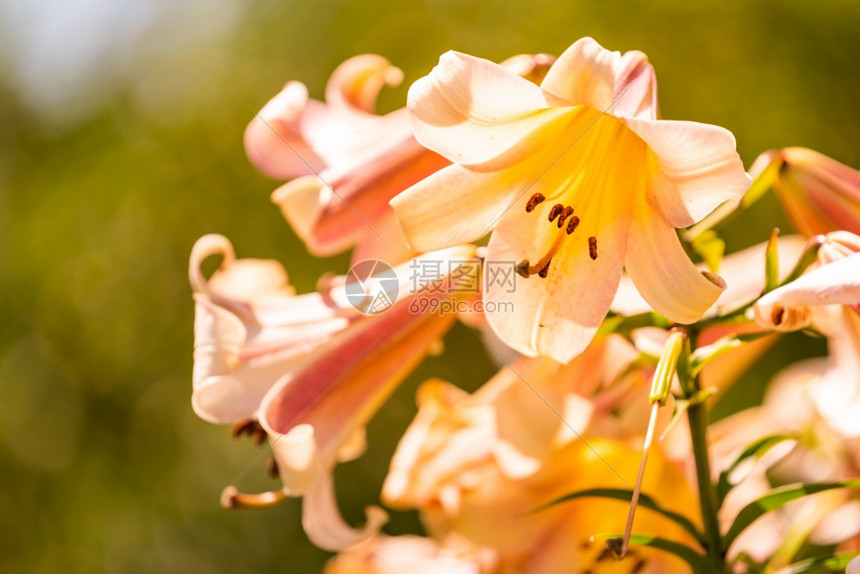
(310, 368)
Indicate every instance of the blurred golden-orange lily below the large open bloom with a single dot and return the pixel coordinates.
(477, 466)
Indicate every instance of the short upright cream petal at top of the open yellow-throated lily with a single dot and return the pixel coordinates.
(584, 75)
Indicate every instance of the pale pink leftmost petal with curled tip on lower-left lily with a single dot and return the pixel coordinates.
(250, 329)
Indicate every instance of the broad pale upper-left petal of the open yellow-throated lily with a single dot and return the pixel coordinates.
(457, 112)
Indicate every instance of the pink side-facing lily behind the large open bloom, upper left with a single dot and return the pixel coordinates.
(348, 161)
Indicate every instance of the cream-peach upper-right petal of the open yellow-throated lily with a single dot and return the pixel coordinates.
(697, 167)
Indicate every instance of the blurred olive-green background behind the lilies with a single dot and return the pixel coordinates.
(121, 144)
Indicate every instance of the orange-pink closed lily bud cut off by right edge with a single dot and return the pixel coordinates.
(819, 194)
